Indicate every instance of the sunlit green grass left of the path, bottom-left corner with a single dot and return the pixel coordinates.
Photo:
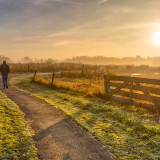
(15, 133)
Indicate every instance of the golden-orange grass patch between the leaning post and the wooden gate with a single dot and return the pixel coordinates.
(86, 86)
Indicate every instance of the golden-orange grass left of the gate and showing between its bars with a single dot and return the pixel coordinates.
(91, 87)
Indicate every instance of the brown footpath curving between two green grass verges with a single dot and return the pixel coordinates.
(57, 137)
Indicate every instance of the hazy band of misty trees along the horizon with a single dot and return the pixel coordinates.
(94, 60)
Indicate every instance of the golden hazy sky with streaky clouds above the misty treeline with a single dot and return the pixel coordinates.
(61, 29)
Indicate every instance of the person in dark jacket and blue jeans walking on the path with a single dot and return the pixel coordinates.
(4, 68)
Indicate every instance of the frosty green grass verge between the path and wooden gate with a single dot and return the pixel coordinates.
(127, 131)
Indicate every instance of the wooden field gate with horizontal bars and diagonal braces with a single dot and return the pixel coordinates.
(133, 90)
